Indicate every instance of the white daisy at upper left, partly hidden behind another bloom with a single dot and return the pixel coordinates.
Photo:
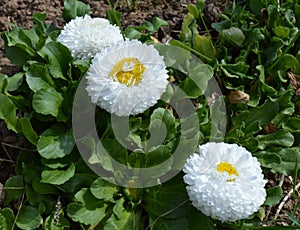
(86, 36)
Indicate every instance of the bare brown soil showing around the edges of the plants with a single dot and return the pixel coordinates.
(134, 12)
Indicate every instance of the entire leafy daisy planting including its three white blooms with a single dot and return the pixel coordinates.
(234, 81)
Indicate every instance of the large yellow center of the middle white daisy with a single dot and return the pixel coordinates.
(128, 71)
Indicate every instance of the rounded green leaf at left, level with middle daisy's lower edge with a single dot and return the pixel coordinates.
(47, 102)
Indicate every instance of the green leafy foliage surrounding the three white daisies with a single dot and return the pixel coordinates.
(255, 51)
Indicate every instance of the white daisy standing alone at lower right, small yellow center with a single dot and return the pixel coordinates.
(225, 181)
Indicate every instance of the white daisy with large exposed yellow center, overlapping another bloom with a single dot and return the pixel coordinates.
(128, 78)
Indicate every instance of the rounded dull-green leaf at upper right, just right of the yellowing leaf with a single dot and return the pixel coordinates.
(233, 36)
